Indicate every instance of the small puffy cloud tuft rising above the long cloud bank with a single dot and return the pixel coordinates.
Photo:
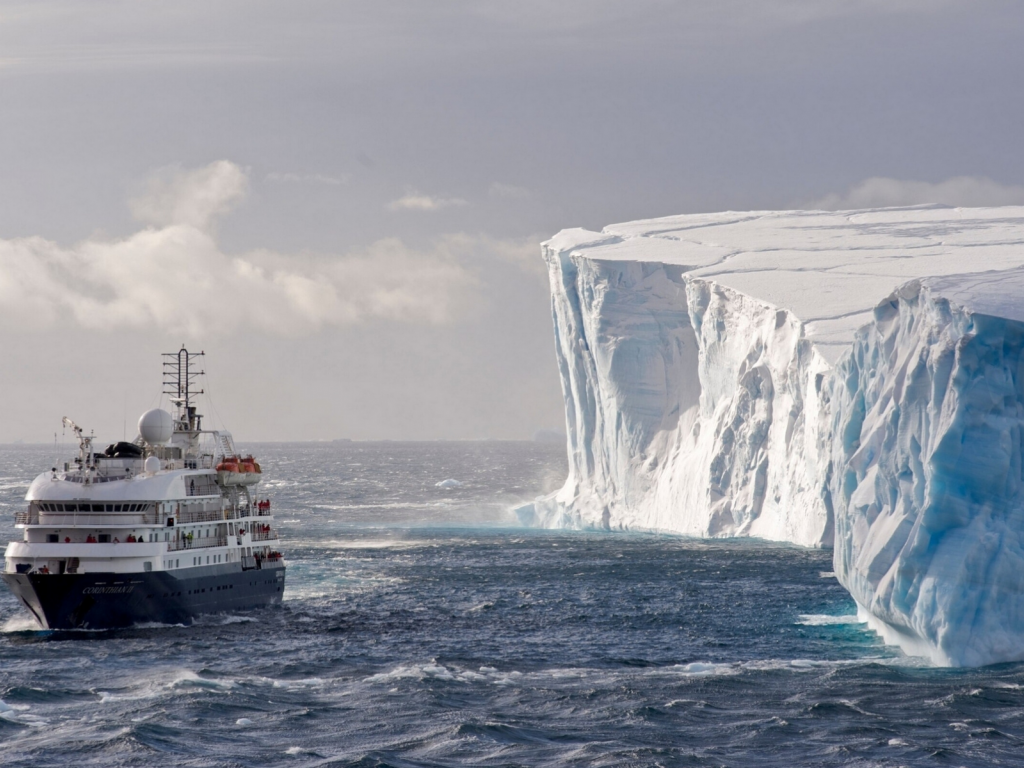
(176, 196)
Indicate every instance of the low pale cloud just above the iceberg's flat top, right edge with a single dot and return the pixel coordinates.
(880, 192)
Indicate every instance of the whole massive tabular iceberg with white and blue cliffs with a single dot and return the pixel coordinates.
(850, 379)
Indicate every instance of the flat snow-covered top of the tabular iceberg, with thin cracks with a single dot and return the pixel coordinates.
(831, 269)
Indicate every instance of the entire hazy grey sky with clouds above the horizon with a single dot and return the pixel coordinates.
(343, 203)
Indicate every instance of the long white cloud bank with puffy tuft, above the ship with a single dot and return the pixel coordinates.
(174, 276)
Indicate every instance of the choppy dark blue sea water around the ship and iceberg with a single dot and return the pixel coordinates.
(422, 627)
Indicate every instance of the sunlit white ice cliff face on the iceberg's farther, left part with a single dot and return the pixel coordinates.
(687, 407)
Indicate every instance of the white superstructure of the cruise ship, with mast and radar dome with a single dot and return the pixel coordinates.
(179, 497)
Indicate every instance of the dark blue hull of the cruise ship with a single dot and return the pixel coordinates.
(100, 602)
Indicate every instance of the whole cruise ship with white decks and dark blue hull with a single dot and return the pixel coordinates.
(159, 530)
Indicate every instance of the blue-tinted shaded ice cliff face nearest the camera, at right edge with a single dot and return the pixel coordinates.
(928, 413)
